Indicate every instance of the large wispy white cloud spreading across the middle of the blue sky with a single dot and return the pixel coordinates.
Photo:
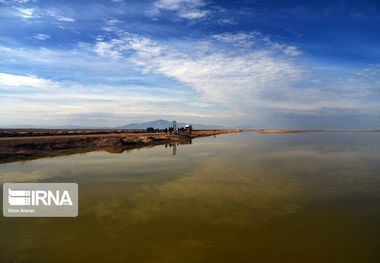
(218, 73)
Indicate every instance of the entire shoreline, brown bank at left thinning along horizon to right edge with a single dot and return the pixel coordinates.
(29, 144)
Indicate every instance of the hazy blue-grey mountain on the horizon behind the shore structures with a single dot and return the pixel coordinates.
(161, 124)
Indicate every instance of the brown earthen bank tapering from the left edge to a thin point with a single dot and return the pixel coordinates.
(26, 148)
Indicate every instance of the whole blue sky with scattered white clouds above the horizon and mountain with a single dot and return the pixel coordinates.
(245, 64)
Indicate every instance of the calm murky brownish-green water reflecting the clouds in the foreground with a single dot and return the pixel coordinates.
(235, 198)
